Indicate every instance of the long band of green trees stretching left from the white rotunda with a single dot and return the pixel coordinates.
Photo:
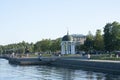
(45, 45)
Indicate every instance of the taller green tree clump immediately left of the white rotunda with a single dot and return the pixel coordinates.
(47, 45)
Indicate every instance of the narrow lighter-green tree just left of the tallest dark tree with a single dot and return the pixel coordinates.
(98, 41)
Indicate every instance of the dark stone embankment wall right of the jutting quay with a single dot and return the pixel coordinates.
(95, 65)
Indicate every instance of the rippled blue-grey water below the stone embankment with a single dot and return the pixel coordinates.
(15, 72)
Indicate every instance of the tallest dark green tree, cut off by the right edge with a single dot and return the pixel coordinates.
(112, 36)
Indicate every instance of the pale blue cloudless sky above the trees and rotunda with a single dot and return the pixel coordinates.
(34, 20)
